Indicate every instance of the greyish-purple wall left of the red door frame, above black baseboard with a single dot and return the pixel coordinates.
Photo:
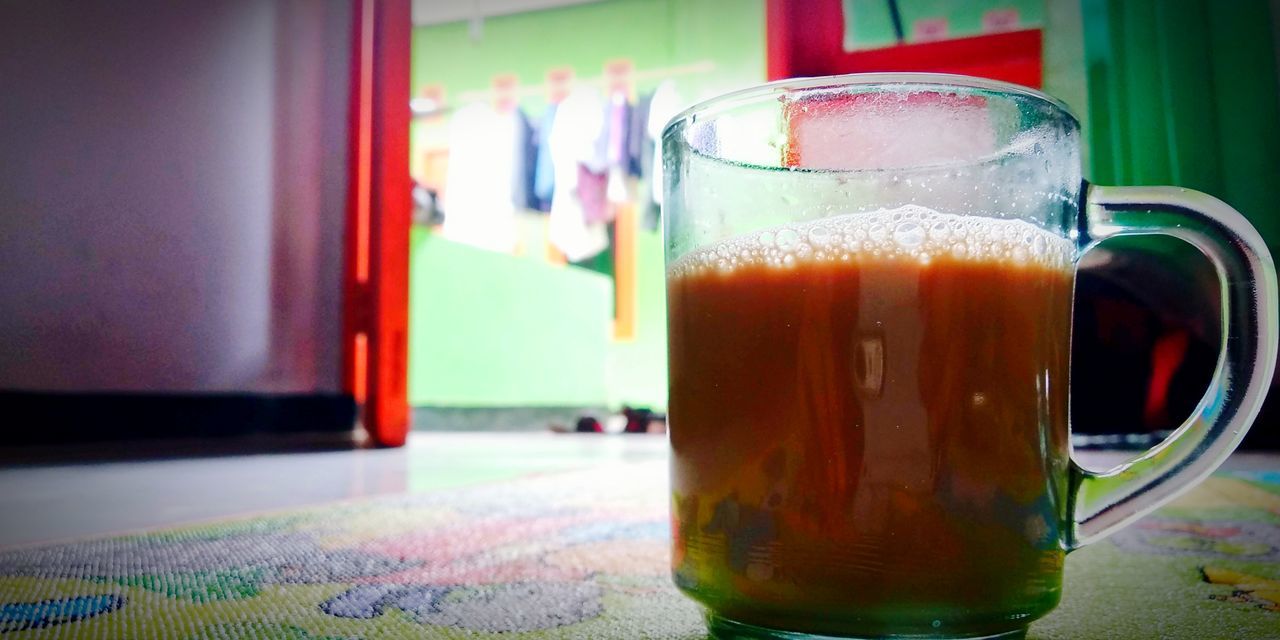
(172, 191)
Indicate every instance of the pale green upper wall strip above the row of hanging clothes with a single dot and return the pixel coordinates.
(652, 34)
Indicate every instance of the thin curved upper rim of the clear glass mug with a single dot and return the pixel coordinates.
(854, 80)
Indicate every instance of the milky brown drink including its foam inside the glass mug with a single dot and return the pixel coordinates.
(870, 424)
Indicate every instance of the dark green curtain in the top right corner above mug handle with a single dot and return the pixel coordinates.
(1186, 93)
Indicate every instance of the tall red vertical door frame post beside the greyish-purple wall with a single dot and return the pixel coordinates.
(376, 298)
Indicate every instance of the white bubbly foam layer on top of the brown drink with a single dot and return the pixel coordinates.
(912, 234)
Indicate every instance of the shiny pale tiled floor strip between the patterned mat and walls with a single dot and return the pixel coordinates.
(56, 502)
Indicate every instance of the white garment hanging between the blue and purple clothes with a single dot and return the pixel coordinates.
(578, 141)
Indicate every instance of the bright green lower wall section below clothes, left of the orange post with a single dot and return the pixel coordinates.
(492, 330)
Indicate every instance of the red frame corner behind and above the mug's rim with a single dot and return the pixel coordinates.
(806, 38)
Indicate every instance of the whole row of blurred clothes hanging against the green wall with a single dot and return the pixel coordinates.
(578, 164)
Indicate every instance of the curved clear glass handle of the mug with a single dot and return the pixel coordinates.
(1103, 504)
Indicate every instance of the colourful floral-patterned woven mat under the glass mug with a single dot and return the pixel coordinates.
(580, 555)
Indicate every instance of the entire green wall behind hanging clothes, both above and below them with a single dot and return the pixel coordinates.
(497, 331)
